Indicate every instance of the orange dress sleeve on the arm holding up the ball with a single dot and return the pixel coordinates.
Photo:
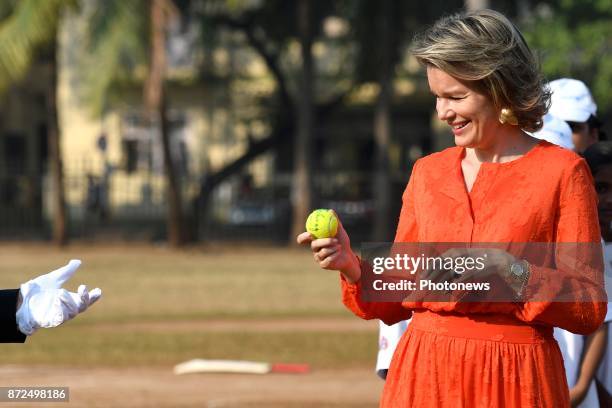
(388, 312)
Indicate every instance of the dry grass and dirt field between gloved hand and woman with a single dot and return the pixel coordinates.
(161, 307)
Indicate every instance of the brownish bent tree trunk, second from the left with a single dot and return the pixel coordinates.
(155, 101)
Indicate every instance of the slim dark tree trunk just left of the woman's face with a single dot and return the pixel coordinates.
(382, 129)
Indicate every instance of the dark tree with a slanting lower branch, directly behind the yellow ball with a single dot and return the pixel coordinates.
(269, 29)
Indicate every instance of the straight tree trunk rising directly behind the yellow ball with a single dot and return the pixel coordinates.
(302, 191)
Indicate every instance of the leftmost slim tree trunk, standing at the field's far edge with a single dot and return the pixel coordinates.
(59, 230)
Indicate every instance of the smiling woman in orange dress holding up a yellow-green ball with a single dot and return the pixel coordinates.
(498, 184)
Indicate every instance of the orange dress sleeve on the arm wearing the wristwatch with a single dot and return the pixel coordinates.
(577, 223)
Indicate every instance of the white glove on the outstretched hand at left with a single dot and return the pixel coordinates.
(46, 304)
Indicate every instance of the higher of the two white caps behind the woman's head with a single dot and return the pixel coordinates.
(571, 100)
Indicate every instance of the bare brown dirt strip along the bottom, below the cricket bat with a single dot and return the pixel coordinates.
(159, 387)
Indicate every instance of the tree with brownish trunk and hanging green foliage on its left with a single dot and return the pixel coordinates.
(120, 38)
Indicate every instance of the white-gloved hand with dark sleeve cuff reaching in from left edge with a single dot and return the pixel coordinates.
(42, 303)
